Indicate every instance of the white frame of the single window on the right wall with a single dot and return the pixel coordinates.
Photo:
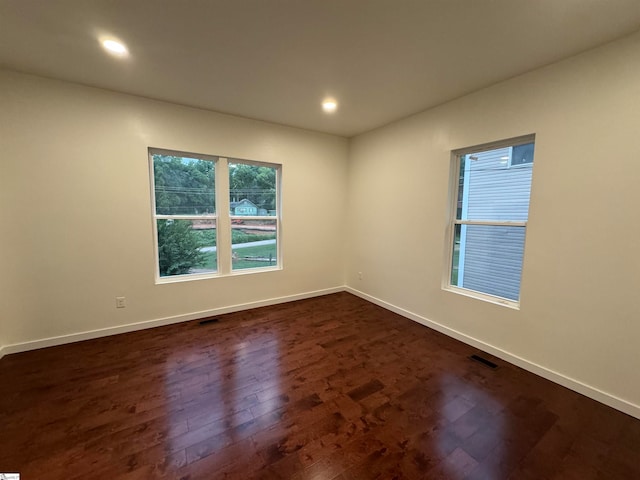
(453, 221)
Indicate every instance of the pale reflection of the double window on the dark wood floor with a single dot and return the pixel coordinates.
(216, 390)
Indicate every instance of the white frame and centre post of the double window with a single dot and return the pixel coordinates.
(222, 217)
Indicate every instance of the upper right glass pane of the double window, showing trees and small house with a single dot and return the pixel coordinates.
(252, 190)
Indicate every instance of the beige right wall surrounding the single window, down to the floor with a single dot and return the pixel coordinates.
(580, 304)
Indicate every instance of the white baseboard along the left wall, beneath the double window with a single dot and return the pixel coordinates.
(103, 332)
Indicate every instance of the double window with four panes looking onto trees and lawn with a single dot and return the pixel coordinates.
(195, 213)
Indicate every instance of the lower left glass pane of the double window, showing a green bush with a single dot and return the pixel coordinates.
(186, 247)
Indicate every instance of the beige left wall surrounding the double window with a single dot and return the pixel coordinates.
(75, 193)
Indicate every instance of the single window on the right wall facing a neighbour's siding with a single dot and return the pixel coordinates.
(491, 189)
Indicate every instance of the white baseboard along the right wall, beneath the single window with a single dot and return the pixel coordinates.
(556, 377)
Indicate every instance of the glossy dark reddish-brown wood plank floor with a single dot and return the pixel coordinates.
(327, 388)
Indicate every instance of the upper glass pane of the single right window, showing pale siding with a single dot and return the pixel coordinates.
(490, 189)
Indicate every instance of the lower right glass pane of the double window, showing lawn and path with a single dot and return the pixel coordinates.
(254, 243)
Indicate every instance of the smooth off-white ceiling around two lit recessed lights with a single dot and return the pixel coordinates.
(275, 60)
